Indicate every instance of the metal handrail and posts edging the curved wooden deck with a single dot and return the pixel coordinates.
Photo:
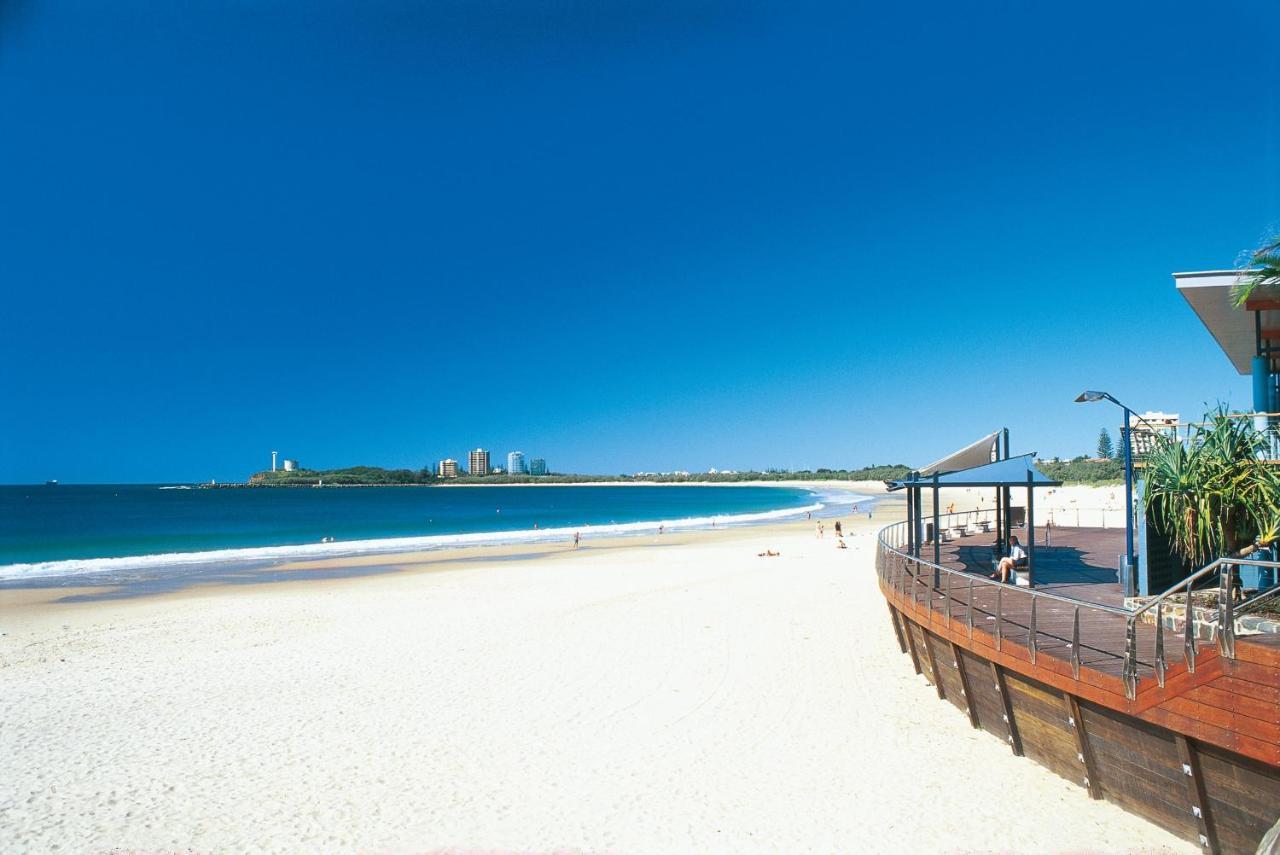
(1226, 620)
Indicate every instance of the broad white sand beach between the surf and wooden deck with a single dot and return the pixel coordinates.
(651, 696)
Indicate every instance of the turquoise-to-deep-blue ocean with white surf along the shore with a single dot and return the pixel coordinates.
(61, 532)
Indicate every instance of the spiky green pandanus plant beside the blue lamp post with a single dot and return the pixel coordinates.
(1213, 495)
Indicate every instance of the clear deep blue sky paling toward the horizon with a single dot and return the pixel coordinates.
(618, 236)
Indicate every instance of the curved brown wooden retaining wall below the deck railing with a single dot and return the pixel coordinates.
(1160, 770)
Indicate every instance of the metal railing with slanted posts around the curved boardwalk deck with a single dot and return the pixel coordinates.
(943, 588)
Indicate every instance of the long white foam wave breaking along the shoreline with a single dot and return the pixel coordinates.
(345, 548)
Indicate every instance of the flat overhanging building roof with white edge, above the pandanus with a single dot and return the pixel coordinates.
(1210, 295)
